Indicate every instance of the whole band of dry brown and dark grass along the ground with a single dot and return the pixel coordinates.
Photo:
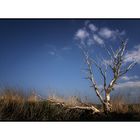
(15, 106)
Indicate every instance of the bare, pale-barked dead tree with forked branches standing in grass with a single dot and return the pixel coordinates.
(115, 63)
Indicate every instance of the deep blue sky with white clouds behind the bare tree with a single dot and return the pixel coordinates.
(43, 54)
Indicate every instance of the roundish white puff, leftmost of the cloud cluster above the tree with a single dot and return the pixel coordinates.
(81, 34)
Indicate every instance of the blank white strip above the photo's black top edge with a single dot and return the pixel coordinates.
(69, 9)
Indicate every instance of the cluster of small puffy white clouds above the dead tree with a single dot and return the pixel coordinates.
(91, 34)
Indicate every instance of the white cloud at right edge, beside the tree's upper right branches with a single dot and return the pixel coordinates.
(133, 55)
